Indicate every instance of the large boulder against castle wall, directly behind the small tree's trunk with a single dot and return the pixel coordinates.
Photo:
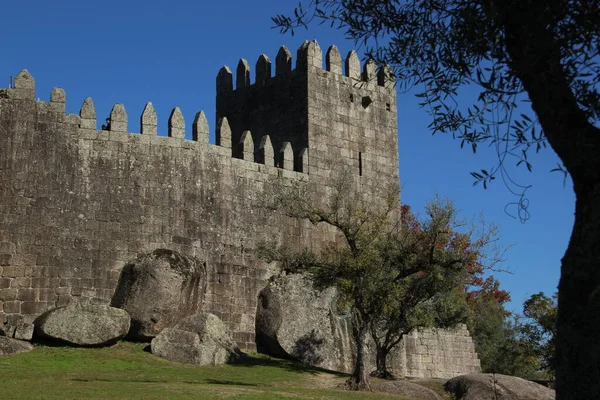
(293, 320)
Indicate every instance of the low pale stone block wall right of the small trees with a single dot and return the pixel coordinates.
(439, 353)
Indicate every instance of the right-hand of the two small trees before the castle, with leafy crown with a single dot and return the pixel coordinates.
(427, 262)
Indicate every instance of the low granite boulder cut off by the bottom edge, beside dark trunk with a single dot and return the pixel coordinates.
(496, 387)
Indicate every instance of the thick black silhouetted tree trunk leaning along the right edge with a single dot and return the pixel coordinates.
(535, 59)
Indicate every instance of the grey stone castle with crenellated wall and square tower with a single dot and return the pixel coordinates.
(77, 203)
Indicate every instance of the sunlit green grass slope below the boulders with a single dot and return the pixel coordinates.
(126, 371)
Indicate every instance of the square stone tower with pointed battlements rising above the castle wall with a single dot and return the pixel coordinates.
(340, 118)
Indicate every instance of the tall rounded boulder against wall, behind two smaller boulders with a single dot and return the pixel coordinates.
(158, 290)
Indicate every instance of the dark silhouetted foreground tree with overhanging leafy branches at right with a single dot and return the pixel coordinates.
(519, 53)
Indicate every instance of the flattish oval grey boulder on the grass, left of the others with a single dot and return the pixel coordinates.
(83, 325)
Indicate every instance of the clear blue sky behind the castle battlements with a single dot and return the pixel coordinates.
(169, 53)
